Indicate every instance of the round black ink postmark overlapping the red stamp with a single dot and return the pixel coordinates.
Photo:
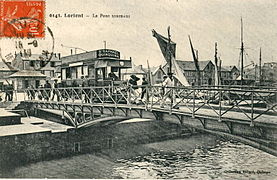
(28, 46)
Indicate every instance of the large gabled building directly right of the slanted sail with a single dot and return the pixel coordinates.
(207, 72)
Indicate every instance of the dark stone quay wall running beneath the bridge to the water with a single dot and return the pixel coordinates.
(23, 148)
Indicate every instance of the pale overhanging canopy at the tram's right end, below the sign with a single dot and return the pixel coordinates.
(113, 63)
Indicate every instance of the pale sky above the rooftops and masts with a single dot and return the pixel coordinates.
(206, 21)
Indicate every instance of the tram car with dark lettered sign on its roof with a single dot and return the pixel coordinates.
(98, 67)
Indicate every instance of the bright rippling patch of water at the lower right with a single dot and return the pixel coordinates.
(228, 160)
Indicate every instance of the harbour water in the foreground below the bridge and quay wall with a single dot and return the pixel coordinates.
(222, 160)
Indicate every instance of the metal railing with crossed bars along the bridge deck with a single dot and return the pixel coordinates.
(219, 102)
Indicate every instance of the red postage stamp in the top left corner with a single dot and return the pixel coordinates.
(22, 18)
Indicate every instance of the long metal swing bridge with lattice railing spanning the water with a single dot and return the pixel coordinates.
(235, 110)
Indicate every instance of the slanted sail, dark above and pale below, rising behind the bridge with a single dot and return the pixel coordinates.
(170, 51)
